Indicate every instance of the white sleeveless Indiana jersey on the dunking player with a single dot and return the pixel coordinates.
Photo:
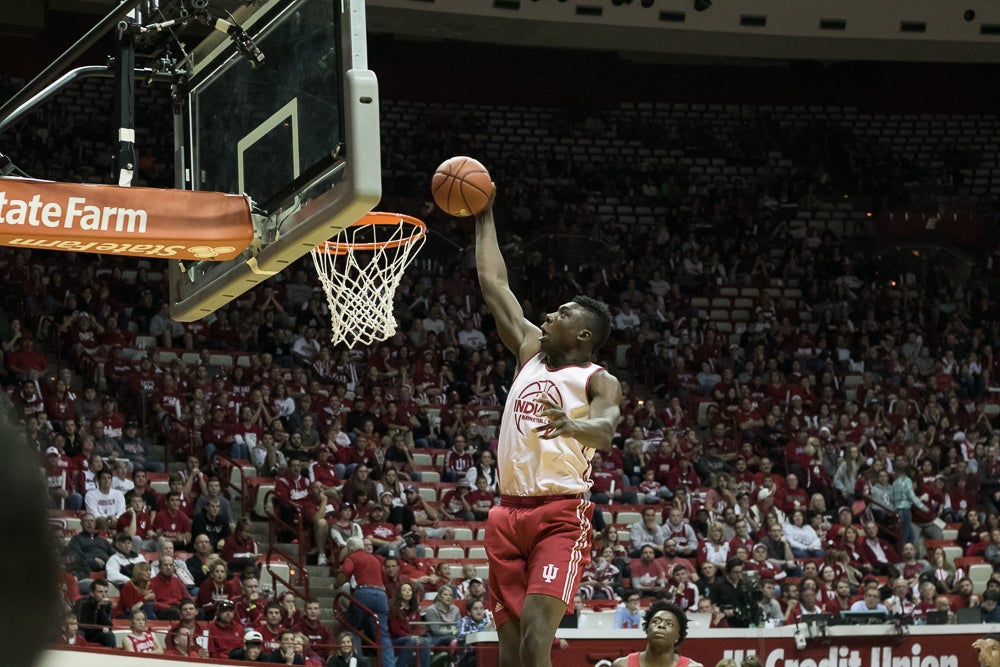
(532, 466)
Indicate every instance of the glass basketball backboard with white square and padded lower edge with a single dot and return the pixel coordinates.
(298, 132)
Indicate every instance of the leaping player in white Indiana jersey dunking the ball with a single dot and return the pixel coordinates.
(560, 409)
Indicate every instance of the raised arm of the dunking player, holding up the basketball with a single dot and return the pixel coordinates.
(519, 335)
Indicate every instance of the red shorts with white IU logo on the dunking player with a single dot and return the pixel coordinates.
(536, 549)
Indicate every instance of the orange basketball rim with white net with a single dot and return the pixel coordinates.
(360, 269)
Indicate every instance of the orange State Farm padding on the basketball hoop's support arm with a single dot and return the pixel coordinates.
(112, 220)
